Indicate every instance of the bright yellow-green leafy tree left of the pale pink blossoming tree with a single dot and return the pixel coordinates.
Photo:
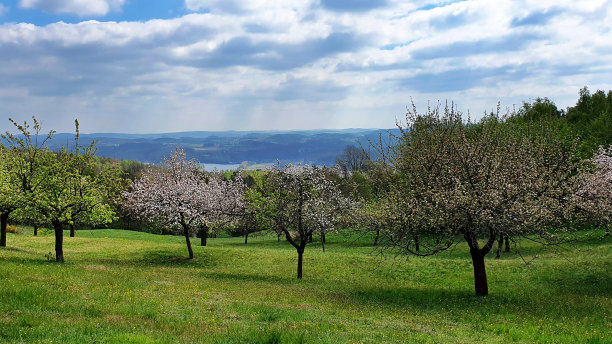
(53, 185)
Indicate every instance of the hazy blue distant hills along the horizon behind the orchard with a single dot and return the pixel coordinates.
(228, 147)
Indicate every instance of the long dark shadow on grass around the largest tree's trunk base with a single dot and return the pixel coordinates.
(572, 289)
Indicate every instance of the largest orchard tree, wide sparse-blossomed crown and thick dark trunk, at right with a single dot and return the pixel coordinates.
(477, 181)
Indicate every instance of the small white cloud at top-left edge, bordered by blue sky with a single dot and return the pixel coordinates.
(81, 8)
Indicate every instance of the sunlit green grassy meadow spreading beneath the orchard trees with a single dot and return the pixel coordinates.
(128, 287)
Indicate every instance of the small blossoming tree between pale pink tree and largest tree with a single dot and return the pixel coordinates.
(302, 203)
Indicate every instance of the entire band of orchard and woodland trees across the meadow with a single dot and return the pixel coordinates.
(538, 173)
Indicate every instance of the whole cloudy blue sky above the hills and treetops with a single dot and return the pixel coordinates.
(144, 66)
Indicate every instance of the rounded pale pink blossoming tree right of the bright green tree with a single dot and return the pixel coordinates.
(178, 194)
